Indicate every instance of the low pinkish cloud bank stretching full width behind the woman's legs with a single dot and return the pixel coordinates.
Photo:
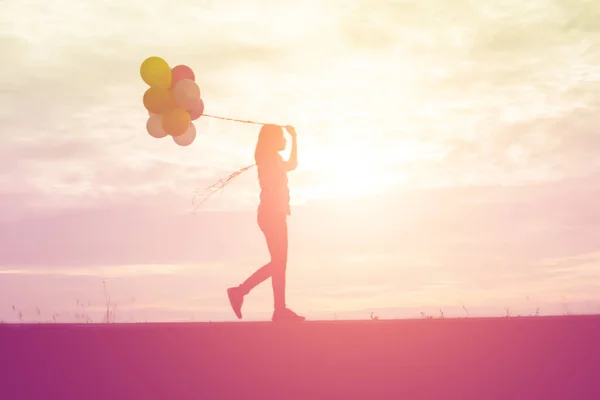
(468, 232)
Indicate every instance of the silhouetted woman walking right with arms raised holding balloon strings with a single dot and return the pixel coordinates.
(273, 210)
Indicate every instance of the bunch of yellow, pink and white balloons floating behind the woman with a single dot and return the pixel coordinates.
(173, 100)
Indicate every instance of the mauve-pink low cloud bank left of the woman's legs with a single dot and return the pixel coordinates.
(128, 236)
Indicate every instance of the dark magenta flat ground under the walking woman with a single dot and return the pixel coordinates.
(497, 358)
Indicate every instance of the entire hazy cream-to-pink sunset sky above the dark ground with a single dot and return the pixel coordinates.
(448, 158)
